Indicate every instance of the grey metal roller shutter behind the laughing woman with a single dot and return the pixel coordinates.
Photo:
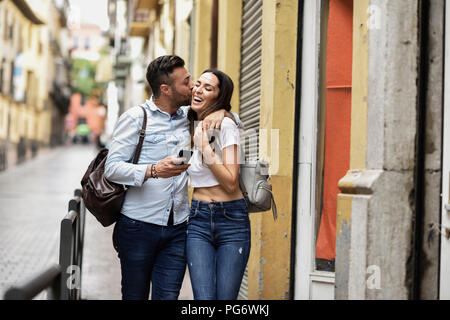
(250, 88)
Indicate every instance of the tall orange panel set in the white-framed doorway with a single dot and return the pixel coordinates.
(337, 121)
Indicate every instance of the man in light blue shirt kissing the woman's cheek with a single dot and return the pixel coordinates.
(150, 234)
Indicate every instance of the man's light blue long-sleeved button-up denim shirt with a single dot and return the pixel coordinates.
(151, 200)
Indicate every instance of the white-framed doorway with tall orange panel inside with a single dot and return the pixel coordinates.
(324, 141)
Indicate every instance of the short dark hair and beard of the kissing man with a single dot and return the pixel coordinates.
(159, 71)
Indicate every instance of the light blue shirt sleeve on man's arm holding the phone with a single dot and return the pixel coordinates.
(118, 166)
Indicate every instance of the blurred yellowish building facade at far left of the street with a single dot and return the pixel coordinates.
(31, 99)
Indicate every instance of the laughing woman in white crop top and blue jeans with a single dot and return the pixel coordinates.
(218, 235)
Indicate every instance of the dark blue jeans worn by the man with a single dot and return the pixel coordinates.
(150, 253)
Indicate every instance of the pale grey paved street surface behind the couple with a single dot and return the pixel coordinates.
(34, 198)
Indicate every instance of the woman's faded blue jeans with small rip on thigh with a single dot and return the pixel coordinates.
(217, 247)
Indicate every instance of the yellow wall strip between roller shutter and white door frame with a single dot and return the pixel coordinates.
(278, 80)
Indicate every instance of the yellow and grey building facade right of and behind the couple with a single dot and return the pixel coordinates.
(346, 100)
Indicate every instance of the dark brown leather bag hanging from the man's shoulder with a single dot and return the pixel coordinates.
(104, 198)
